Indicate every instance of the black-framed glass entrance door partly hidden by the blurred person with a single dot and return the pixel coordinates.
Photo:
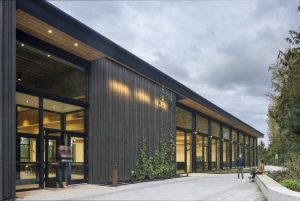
(53, 139)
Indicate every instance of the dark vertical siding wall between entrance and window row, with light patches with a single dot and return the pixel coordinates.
(120, 115)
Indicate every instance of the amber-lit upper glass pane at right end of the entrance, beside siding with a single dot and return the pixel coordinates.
(75, 121)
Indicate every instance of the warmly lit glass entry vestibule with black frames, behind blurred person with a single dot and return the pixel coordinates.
(40, 131)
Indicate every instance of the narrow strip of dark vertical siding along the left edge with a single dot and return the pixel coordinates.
(7, 99)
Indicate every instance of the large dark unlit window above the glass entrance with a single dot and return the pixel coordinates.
(38, 69)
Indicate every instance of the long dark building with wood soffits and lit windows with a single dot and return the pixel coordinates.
(62, 83)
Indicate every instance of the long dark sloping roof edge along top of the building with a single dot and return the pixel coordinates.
(55, 17)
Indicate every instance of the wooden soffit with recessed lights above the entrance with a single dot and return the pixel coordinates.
(39, 29)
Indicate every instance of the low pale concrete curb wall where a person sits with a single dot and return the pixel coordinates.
(273, 191)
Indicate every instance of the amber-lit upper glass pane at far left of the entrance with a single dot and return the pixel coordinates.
(27, 120)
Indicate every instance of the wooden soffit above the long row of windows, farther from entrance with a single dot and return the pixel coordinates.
(209, 112)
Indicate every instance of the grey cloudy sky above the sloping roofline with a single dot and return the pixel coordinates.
(219, 48)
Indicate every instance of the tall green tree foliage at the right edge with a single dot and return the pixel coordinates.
(284, 110)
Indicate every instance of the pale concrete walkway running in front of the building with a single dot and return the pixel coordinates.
(204, 187)
